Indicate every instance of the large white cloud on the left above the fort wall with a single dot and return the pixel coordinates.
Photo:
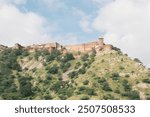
(19, 27)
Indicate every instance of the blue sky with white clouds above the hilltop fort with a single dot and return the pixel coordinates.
(123, 23)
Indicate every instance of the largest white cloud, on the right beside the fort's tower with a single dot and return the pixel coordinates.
(126, 24)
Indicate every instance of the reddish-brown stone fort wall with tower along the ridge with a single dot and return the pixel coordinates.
(85, 47)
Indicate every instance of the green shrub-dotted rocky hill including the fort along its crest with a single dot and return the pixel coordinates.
(85, 71)
